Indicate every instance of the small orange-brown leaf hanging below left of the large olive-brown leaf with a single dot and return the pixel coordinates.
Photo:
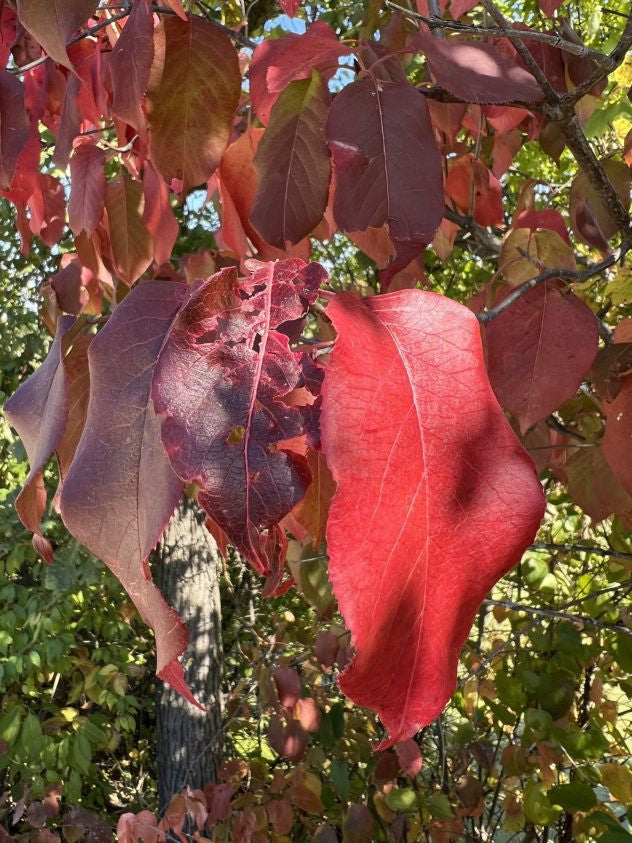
(132, 247)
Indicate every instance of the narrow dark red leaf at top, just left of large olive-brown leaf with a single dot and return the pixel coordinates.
(130, 64)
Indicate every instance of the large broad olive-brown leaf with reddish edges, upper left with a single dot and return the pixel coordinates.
(193, 92)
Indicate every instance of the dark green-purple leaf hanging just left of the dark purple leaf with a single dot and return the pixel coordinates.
(292, 163)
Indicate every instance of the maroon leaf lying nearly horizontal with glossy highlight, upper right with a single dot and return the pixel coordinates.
(476, 72)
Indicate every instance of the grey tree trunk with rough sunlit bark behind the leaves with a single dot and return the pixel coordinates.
(189, 742)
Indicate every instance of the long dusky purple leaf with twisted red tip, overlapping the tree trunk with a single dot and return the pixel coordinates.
(117, 500)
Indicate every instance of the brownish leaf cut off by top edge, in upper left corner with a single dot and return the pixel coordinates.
(53, 22)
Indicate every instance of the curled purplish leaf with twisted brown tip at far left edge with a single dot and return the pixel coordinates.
(38, 411)
